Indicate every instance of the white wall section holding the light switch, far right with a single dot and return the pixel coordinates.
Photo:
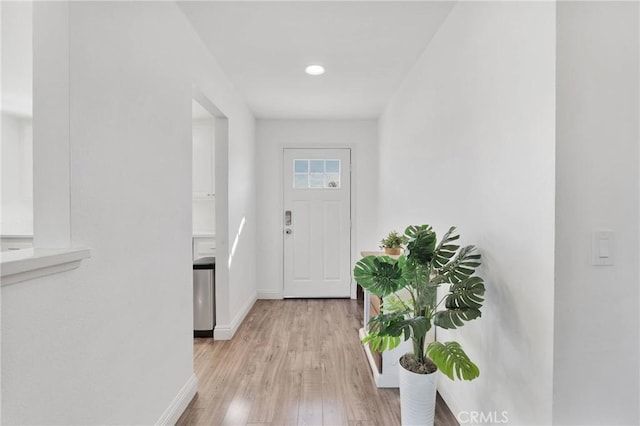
(596, 307)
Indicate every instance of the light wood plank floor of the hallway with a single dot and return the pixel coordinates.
(293, 362)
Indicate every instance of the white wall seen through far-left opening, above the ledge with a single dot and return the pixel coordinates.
(16, 153)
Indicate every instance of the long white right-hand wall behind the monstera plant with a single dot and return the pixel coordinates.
(468, 140)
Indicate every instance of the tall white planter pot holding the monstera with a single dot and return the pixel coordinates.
(417, 397)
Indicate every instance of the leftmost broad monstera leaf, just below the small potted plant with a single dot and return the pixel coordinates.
(380, 275)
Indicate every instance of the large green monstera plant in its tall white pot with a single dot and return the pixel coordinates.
(408, 286)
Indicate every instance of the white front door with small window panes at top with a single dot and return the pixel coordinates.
(316, 222)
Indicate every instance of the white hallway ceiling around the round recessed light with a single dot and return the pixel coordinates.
(366, 47)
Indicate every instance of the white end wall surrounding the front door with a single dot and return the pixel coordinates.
(274, 135)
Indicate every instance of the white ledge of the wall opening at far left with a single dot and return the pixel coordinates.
(27, 264)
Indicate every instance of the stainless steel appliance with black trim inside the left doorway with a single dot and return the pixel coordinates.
(204, 296)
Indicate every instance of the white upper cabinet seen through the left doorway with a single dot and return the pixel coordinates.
(204, 184)
